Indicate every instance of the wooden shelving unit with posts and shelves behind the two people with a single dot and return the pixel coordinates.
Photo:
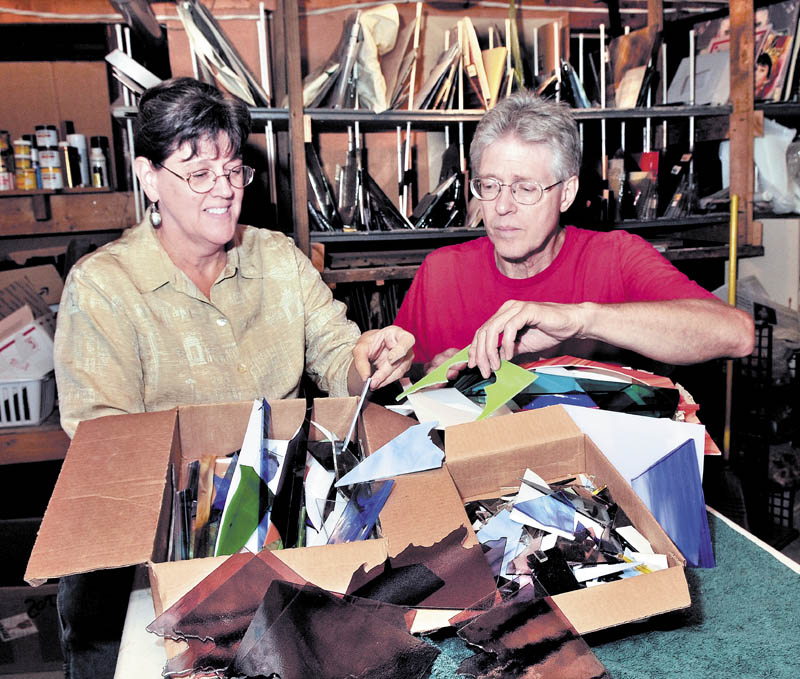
(83, 212)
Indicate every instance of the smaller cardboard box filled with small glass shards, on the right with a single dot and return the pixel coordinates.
(487, 456)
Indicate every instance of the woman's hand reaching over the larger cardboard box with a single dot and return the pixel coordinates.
(385, 354)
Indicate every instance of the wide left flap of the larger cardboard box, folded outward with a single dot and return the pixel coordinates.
(104, 511)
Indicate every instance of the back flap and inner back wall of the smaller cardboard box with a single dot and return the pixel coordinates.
(485, 456)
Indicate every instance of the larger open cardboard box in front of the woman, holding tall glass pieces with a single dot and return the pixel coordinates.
(111, 504)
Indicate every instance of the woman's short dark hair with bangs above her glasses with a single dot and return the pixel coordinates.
(186, 111)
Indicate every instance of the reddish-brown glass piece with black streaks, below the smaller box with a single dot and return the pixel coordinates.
(525, 636)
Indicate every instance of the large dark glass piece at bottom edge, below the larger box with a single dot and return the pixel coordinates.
(300, 632)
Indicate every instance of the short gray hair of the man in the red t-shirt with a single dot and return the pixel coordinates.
(533, 120)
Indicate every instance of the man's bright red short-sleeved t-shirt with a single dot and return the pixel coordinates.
(459, 287)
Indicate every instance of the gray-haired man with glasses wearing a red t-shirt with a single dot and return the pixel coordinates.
(533, 286)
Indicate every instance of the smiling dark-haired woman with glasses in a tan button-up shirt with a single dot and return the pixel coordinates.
(191, 307)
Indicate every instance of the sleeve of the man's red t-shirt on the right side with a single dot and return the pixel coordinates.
(649, 276)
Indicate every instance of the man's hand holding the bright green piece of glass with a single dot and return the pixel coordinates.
(525, 327)
